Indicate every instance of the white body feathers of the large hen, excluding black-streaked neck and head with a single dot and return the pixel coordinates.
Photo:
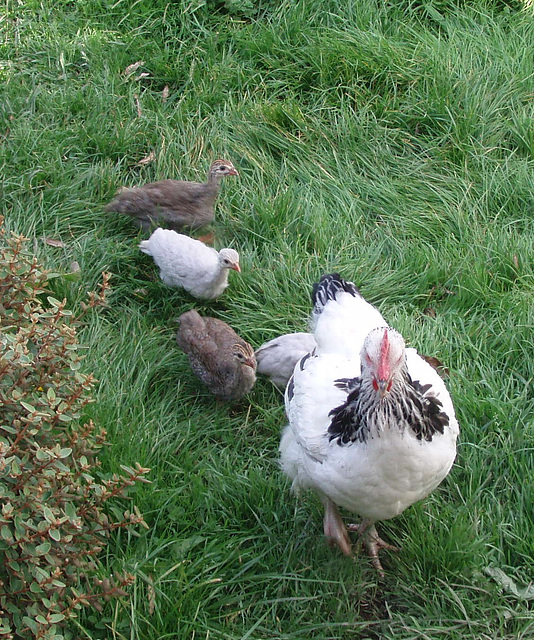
(381, 475)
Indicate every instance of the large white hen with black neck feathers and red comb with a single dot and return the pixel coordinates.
(371, 425)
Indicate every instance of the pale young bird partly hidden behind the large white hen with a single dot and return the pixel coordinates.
(277, 357)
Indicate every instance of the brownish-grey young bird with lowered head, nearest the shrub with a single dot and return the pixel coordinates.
(218, 356)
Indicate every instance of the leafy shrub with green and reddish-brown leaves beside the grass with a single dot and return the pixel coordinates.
(52, 521)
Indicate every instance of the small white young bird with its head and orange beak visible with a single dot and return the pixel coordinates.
(190, 264)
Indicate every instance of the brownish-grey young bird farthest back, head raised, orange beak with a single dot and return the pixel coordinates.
(174, 204)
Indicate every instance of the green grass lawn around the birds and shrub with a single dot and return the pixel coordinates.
(392, 142)
